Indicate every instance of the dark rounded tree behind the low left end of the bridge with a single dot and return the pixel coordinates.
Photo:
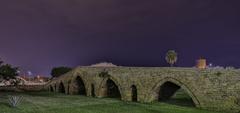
(58, 71)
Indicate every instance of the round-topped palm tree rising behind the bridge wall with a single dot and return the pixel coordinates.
(171, 57)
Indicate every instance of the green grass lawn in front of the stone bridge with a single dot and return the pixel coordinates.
(44, 102)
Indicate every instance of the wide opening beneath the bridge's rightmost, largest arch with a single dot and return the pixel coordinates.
(172, 93)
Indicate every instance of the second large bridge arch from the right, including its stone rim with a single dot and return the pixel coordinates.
(110, 87)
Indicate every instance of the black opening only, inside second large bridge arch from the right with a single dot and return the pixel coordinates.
(112, 89)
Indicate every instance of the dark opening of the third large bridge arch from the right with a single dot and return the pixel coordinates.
(80, 86)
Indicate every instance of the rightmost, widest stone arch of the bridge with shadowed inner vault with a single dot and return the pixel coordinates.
(174, 84)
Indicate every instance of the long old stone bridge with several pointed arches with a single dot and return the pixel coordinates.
(211, 89)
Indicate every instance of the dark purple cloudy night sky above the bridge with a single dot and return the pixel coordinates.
(37, 35)
